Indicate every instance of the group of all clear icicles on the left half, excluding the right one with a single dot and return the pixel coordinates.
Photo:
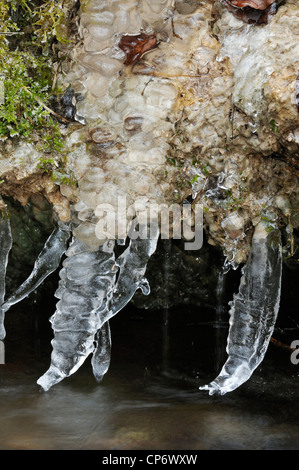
(94, 286)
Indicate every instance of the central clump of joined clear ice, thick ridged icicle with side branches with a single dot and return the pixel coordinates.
(90, 294)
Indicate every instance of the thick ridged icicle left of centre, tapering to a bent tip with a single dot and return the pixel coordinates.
(87, 281)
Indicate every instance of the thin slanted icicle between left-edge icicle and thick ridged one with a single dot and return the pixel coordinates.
(46, 263)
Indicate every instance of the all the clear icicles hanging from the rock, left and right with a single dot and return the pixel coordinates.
(94, 286)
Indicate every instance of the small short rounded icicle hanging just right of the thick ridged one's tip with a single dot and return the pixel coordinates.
(101, 356)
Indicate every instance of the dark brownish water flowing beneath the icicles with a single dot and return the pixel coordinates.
(149, 399)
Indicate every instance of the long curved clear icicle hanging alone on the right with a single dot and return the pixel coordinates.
(253, 312)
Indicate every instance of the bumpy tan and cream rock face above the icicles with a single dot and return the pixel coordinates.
(204, 105)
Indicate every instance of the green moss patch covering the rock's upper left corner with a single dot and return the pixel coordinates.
(31, 32)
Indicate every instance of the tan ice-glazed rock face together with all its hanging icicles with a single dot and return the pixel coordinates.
(175, 97)
